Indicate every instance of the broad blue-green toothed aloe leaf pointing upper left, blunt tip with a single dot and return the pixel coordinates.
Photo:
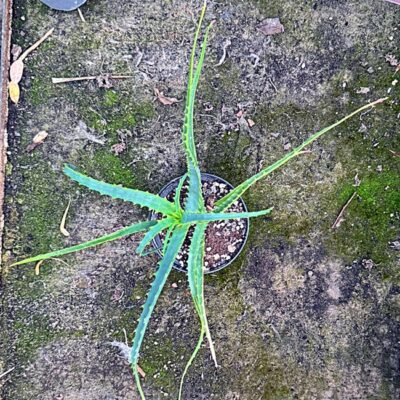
(143, 199)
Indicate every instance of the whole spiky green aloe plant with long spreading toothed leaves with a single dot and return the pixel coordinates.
(176, 219)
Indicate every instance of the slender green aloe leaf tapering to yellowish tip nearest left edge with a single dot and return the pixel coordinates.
(129, 230)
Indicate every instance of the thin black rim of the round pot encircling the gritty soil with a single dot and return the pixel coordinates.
(156, 242)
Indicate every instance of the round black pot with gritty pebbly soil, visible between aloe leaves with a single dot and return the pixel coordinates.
(224, 240)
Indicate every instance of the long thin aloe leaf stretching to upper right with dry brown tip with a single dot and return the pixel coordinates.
(231, 197)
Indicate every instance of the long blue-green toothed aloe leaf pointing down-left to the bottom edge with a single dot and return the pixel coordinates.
(165, 266)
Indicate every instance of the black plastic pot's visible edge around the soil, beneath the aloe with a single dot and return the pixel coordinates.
(170, 187)
